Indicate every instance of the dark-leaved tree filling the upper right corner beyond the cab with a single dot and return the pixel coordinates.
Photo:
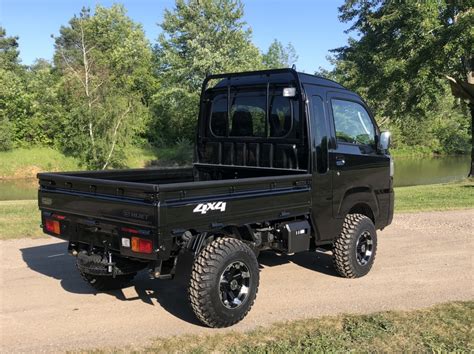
(399, 57)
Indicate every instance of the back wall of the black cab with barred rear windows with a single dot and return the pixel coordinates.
(253, 125)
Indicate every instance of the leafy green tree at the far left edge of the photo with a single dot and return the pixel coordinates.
(30, 112)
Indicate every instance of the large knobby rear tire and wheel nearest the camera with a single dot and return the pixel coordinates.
(224, 282)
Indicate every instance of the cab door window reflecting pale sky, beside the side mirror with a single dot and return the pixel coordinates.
(352, 122)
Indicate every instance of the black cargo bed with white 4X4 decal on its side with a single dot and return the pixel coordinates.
(167, 202)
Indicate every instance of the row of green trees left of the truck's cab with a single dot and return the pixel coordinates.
(108, 87)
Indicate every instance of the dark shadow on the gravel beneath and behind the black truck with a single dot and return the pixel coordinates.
(53, 261)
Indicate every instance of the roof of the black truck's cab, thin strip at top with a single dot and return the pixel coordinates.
(276, 76)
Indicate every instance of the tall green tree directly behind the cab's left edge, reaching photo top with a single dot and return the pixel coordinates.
(200, 37)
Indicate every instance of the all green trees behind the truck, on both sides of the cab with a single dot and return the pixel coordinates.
(108, 87)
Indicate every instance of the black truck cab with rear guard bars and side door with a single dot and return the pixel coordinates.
(285, 122)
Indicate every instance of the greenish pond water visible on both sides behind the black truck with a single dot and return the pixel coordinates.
(408, 172)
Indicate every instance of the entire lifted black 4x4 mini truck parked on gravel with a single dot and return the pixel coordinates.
(284, 161)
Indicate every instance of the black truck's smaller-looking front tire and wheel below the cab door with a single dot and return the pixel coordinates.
(355, 248)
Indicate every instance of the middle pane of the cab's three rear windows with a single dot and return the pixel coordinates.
(247, 114)
